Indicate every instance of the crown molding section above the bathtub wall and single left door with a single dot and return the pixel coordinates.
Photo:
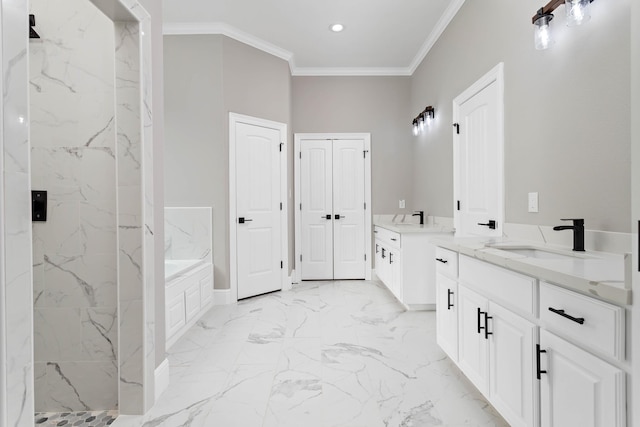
(192, 28)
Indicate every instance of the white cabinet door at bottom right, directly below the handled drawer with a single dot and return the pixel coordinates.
(579, 389)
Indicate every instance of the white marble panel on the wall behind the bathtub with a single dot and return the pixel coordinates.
(188, 233)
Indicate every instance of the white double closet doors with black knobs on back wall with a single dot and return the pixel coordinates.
(332, 205)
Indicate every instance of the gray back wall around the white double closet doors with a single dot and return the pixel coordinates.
(379, 105)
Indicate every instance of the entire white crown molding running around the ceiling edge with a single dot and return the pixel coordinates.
(191, 28)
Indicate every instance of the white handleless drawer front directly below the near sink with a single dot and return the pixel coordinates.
(513, 289)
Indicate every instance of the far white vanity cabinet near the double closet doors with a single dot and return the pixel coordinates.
(401, 261)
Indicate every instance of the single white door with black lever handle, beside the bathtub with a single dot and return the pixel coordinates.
(258, 232)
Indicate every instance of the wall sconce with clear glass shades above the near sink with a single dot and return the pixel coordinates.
(577, 11)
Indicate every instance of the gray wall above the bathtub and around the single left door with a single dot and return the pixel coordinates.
(223, 76)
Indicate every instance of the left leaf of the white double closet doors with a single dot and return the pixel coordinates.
(316, 209)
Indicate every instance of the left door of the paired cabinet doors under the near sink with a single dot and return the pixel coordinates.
(473, 354)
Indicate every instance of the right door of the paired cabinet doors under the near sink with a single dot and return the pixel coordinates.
(512, 389)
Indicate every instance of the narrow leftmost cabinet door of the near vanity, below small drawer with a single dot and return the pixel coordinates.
(447, 315)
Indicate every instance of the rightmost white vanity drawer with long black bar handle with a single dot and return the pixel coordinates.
(602, 327)
